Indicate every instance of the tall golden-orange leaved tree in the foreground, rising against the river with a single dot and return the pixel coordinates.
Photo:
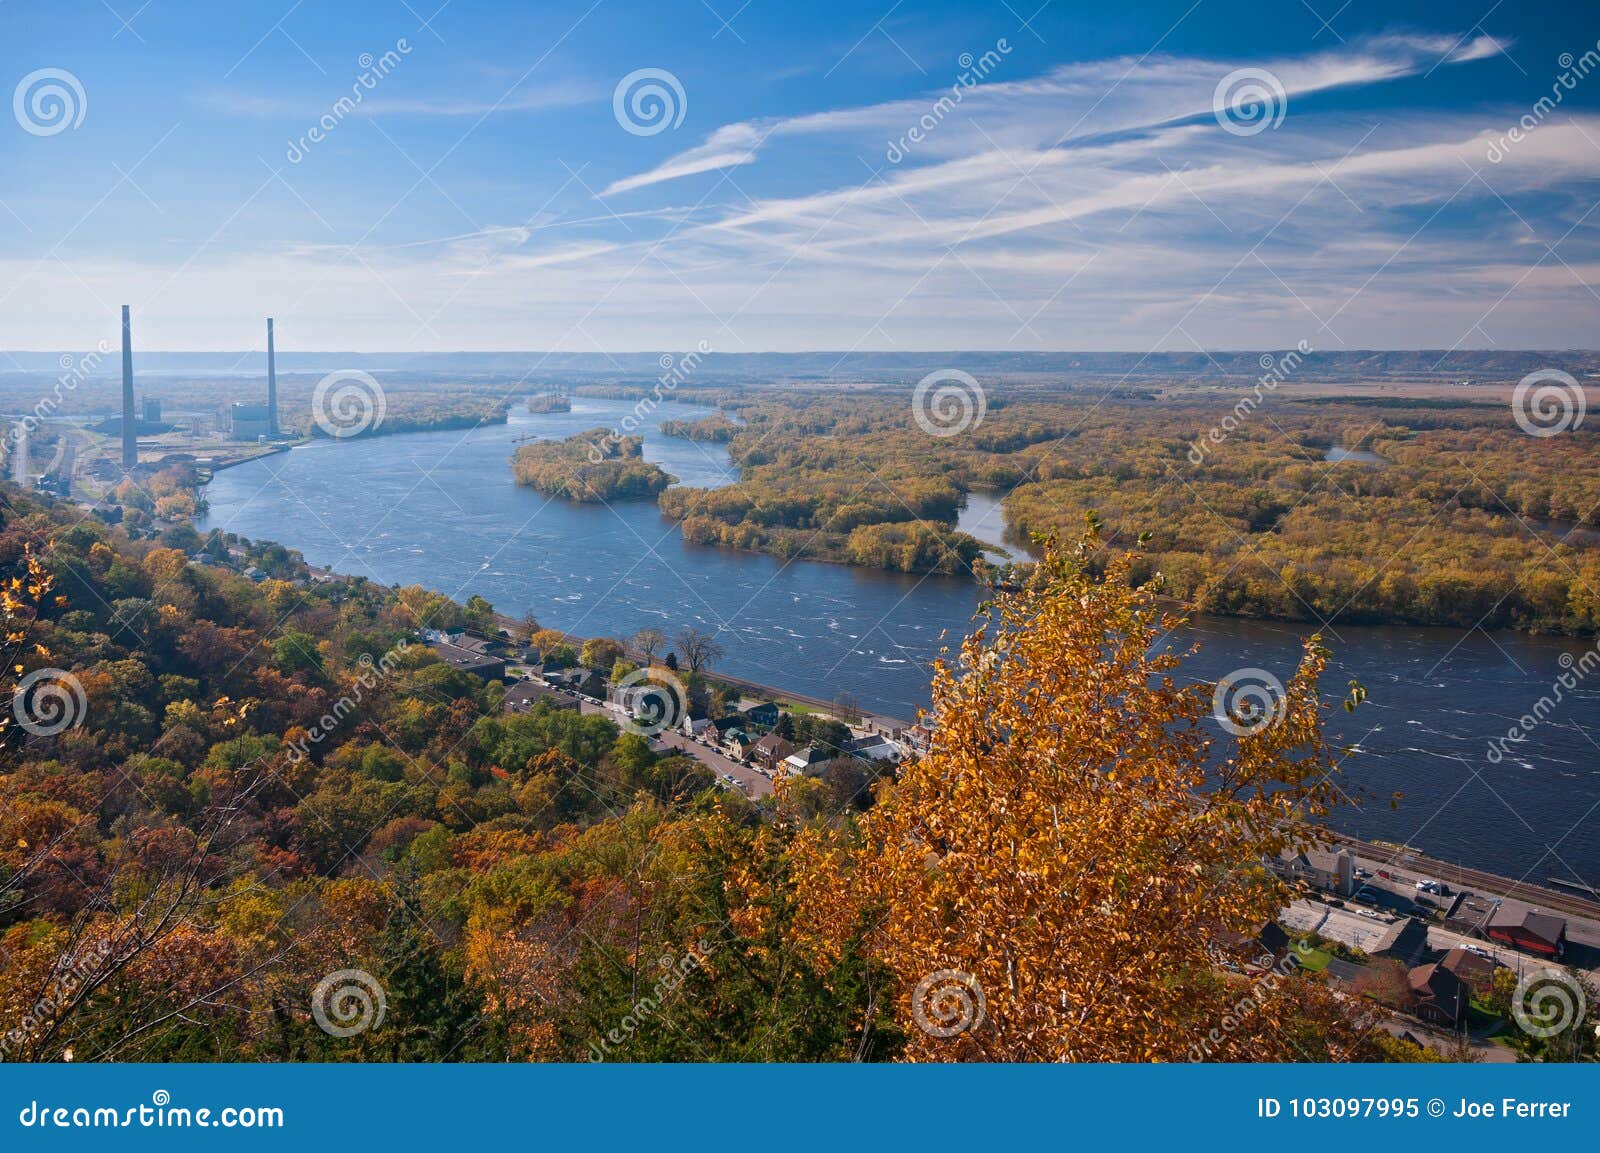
(1050, 882)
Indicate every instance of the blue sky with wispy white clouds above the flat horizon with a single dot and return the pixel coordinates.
(1089, 190)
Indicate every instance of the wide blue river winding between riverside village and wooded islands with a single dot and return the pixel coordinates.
(441, 509)
